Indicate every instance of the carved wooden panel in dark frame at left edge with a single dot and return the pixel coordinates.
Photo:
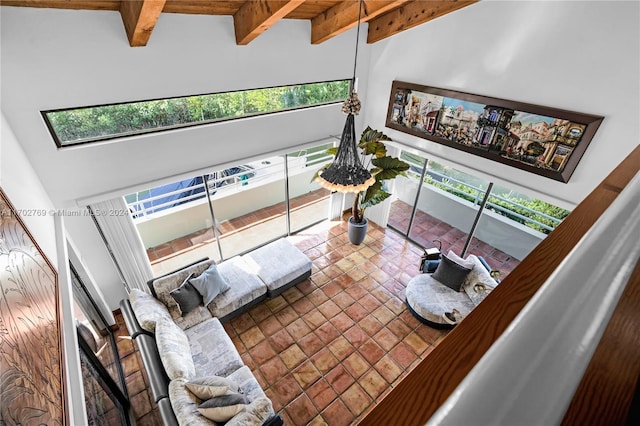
(32, 387)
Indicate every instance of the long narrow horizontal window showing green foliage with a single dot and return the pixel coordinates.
(86, 124)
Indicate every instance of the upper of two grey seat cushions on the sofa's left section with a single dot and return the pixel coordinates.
(212, 351)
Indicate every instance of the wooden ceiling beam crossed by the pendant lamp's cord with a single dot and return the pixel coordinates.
(344, 16)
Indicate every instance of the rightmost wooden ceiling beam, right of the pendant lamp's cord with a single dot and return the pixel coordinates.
(410, 15)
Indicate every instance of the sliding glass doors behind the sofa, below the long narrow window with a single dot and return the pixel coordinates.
(231, 210)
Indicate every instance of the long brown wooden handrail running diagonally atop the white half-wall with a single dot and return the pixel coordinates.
(427, 387)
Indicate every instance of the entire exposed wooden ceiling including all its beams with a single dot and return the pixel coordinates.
(253, 17)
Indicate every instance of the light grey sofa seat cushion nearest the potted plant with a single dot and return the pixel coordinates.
(278, 263)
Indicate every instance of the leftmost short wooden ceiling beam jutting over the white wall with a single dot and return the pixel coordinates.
(139, 18)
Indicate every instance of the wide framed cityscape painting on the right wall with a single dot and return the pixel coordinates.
(542, 140)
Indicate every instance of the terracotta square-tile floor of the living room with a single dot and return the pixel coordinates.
(325, 350)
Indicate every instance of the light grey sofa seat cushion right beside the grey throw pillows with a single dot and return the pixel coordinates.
(246, 287)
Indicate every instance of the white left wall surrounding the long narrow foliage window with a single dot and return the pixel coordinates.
(67, 58)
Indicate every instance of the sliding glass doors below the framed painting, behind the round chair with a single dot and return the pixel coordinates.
(439, 206)
